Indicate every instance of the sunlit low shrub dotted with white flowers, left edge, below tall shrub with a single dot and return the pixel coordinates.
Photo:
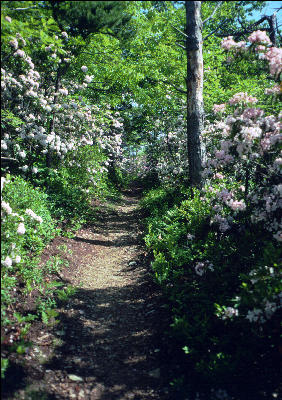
(26, 227)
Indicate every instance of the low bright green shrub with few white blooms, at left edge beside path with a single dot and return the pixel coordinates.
(27, 226)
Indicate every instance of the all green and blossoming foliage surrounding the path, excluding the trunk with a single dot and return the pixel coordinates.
(93, 97)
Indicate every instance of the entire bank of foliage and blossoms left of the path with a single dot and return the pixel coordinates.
(61, 153)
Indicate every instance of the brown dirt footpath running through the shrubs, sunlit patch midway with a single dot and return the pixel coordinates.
(107, 343)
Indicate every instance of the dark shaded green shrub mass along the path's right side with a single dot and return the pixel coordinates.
(213, 281)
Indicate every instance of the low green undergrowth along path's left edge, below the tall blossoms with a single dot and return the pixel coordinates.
(56, 202)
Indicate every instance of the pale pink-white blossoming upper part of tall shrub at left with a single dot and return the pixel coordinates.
(48, 116)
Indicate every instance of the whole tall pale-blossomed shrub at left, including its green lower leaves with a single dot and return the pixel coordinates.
(62, 143)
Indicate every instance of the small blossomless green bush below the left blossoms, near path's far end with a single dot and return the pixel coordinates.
(71, 185)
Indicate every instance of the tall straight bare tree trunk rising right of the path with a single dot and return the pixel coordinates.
(194, 82)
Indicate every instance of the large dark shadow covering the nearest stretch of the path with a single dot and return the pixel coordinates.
(109, 341)
